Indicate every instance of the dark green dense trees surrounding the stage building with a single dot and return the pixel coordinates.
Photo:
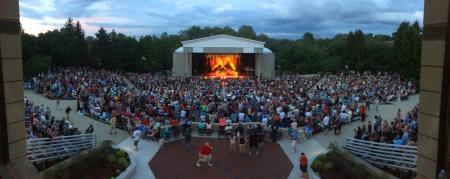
(69, 46)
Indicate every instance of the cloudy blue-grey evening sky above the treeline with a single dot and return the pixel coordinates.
(276, 18)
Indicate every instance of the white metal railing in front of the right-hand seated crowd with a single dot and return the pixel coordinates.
(389, 155)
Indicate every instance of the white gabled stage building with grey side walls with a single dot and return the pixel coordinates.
(223, 55)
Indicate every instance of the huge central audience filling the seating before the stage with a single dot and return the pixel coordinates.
(129, 100)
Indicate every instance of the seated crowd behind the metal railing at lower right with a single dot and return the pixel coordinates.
(402, 131)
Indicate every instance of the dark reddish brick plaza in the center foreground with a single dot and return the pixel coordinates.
(174, 161)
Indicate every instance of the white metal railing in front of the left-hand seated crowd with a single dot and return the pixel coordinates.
(57, 147)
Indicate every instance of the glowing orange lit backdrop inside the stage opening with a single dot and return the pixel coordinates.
(223, 65)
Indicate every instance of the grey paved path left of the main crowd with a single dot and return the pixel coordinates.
(80, 121)
